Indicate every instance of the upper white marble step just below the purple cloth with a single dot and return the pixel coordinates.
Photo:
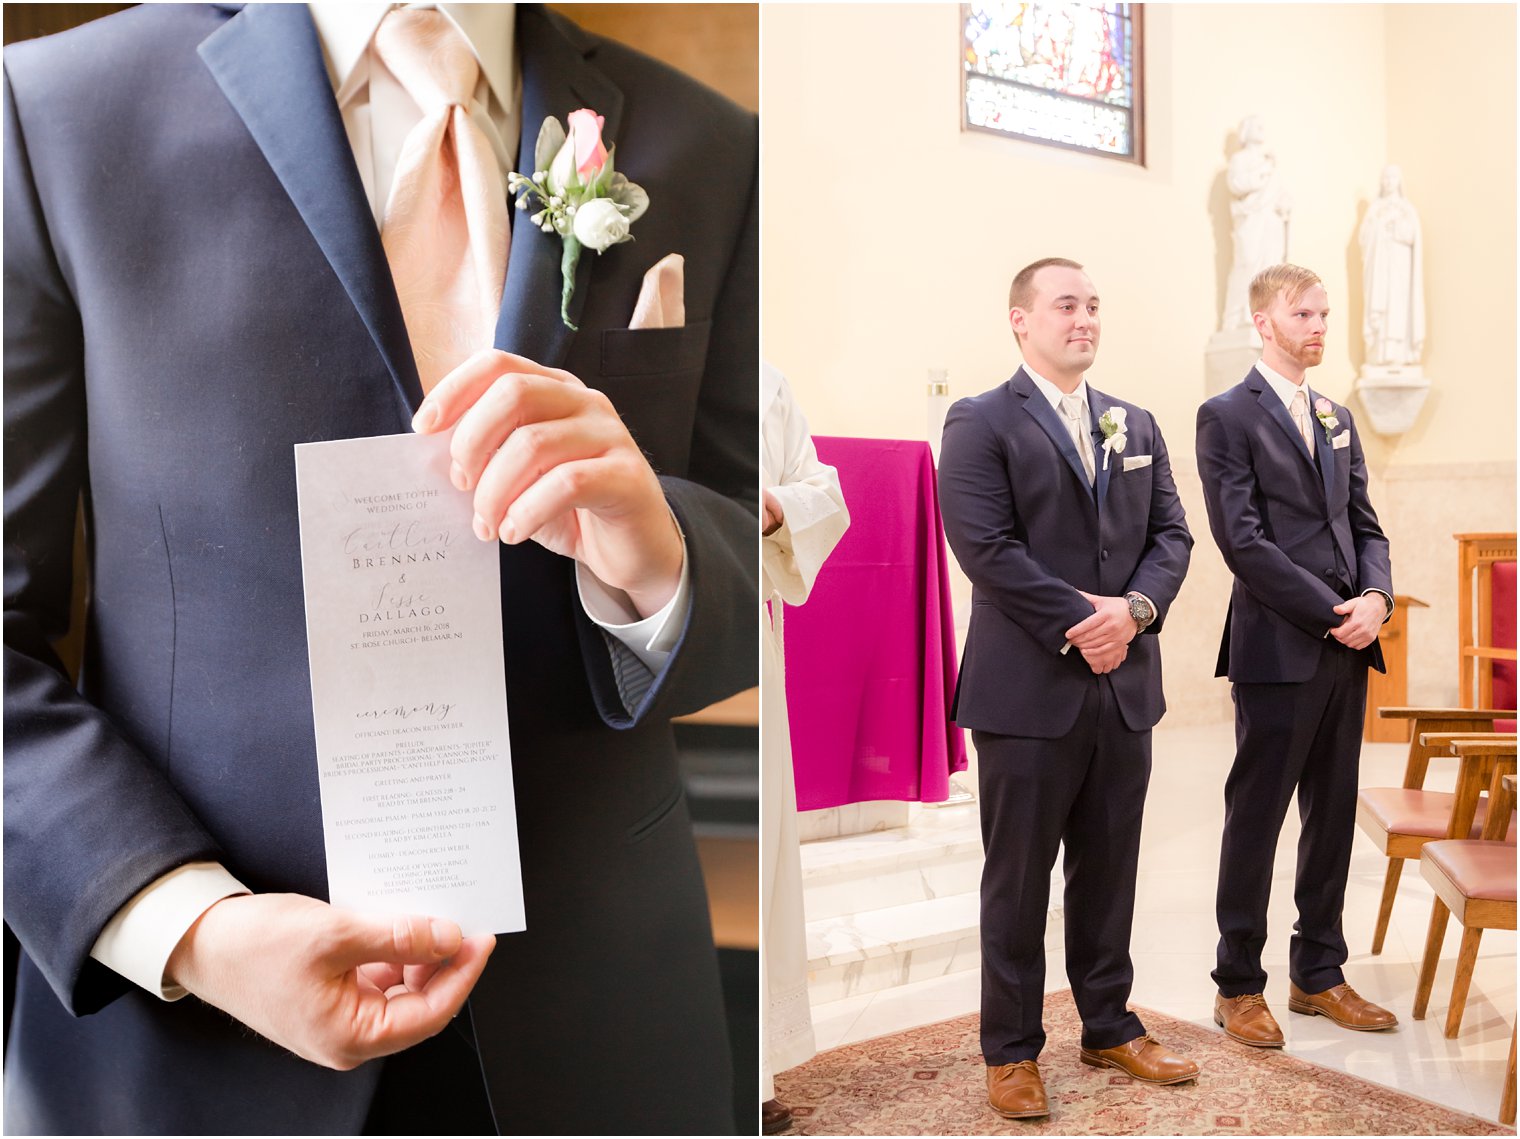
(937, 855)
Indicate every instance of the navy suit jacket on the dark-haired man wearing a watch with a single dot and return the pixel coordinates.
(1030, 533)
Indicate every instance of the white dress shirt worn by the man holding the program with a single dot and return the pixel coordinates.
(378, 116)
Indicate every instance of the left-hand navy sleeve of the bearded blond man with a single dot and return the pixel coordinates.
(1224, 463)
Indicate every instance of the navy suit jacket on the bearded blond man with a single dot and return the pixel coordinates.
(1299, 533)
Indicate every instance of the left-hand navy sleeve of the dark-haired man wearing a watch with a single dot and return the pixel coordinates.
(983, 527)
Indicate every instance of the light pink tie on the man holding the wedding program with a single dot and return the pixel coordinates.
(446, 224)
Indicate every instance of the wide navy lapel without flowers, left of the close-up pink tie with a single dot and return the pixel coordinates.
(268, 63)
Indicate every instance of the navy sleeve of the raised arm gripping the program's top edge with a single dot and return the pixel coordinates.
(718, 649)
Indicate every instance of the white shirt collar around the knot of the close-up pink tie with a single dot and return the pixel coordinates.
(347, 27)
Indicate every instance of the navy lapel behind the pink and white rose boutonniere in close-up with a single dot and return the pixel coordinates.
(557, 80)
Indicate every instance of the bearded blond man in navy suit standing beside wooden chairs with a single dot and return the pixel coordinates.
(1287, 493)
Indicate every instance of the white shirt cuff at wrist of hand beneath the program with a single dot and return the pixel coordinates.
(139, 942)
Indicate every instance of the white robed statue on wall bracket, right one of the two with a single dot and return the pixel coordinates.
(1393, 319)
